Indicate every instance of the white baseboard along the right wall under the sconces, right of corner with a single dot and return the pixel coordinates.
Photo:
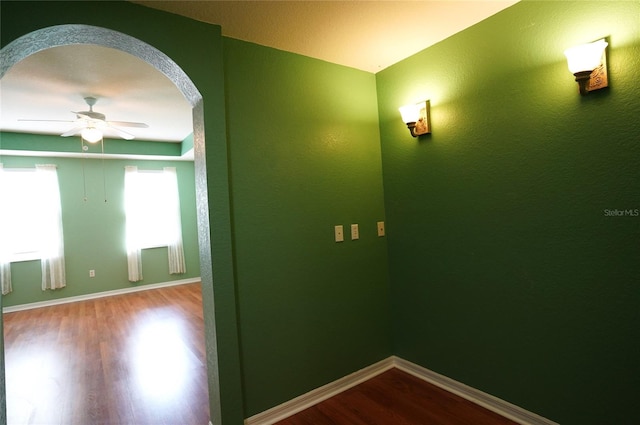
(499, 406)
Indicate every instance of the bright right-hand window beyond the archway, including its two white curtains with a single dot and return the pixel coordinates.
(152, 208)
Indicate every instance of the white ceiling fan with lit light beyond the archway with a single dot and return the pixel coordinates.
(91, 124)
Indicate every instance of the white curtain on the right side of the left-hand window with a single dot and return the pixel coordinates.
(52, 249)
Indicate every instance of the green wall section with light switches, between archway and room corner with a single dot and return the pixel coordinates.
(305, 155)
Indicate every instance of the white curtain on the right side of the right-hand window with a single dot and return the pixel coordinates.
(175, 248)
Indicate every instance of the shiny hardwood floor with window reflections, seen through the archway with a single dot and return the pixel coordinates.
(129, 359)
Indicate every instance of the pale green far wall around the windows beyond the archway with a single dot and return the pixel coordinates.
(94, 231)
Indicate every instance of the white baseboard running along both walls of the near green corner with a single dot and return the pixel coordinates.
(501, 407)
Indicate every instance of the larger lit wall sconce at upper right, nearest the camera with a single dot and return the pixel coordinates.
(588, 62)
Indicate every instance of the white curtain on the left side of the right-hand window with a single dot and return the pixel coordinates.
(134, 255)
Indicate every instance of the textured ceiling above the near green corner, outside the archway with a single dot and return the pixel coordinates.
(367, 35)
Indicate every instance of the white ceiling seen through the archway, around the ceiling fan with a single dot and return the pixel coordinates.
(50, 84)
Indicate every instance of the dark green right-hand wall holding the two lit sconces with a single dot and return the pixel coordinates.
(506, 272)
